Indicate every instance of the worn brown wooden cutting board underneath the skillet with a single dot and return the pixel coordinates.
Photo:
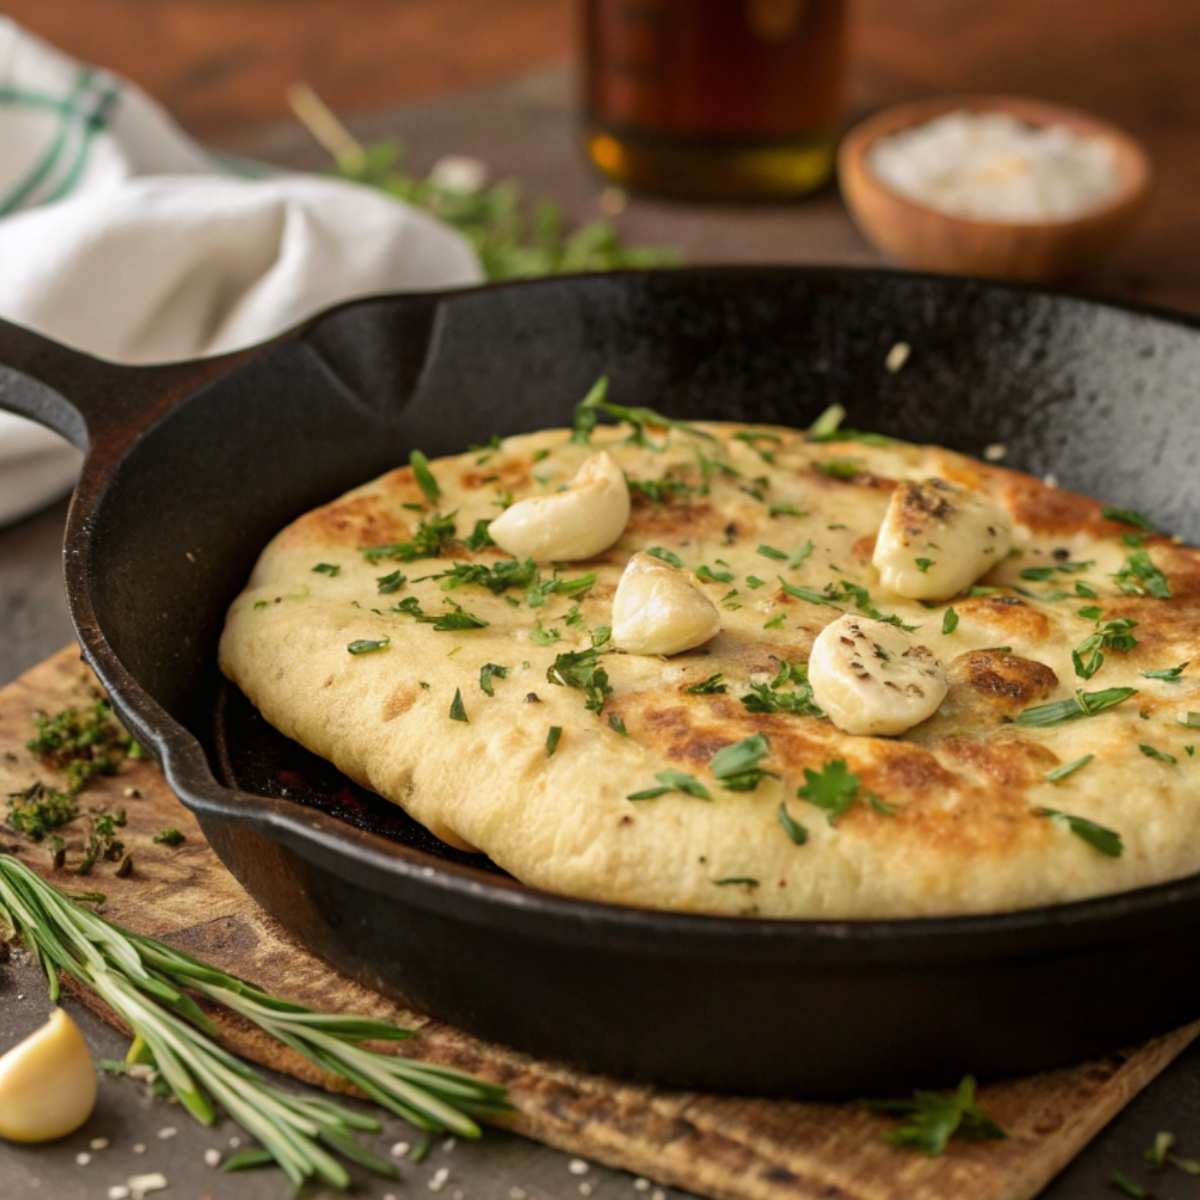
(715, 1147)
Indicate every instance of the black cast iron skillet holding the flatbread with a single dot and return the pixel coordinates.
(194, 467)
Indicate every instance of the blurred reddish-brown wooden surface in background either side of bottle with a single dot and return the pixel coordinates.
(223, 67)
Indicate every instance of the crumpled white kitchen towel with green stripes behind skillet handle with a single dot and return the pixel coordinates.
(122, 237)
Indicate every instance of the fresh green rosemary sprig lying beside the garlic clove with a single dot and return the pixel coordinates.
(151, 987)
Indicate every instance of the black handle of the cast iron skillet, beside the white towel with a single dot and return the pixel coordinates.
(95, 405)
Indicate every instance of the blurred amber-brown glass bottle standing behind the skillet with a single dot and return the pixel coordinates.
(729, 100)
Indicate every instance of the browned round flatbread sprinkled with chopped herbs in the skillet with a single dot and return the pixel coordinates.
(946, 819)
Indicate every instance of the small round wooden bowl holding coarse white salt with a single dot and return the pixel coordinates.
(922, 237)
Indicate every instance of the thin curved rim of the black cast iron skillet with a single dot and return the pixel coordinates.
(345, 849)
